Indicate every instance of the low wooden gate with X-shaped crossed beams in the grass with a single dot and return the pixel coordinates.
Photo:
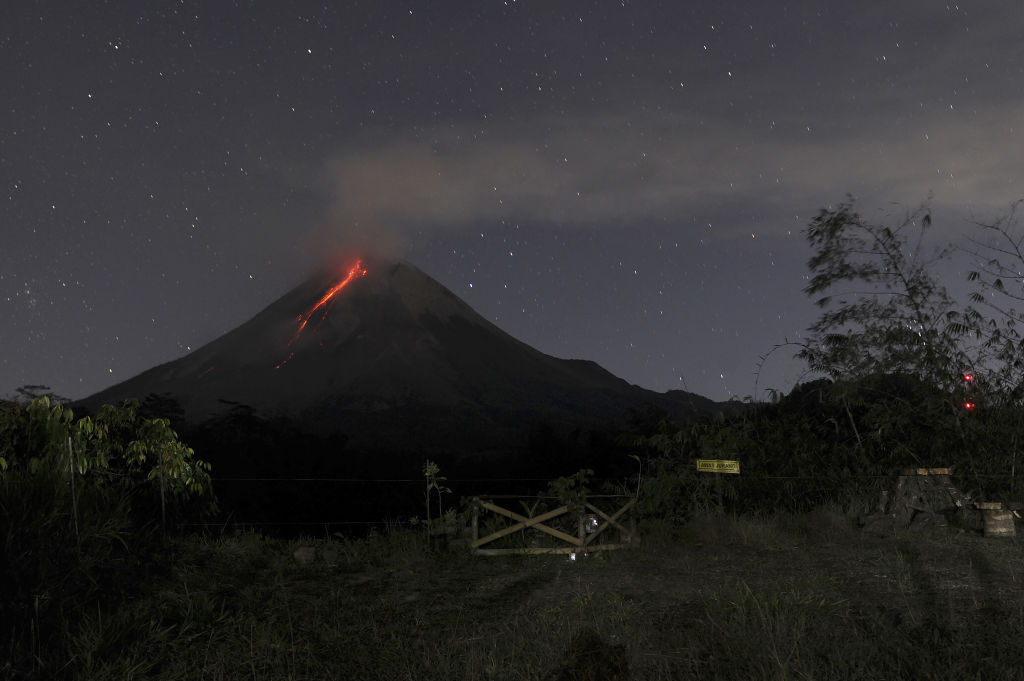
(577, 544)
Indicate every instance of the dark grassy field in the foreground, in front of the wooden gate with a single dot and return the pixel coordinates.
(803, 598)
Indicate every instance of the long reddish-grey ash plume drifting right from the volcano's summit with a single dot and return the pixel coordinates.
(614, 172)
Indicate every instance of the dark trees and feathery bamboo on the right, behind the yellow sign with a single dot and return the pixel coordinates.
(907, 376)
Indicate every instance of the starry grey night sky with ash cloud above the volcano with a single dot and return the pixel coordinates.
(620, 182)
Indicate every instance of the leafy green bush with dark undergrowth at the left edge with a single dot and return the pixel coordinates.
(81, 504)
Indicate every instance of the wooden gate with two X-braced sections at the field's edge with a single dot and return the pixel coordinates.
(591, 526)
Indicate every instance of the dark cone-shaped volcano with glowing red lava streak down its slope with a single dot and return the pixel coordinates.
(388, 357)
